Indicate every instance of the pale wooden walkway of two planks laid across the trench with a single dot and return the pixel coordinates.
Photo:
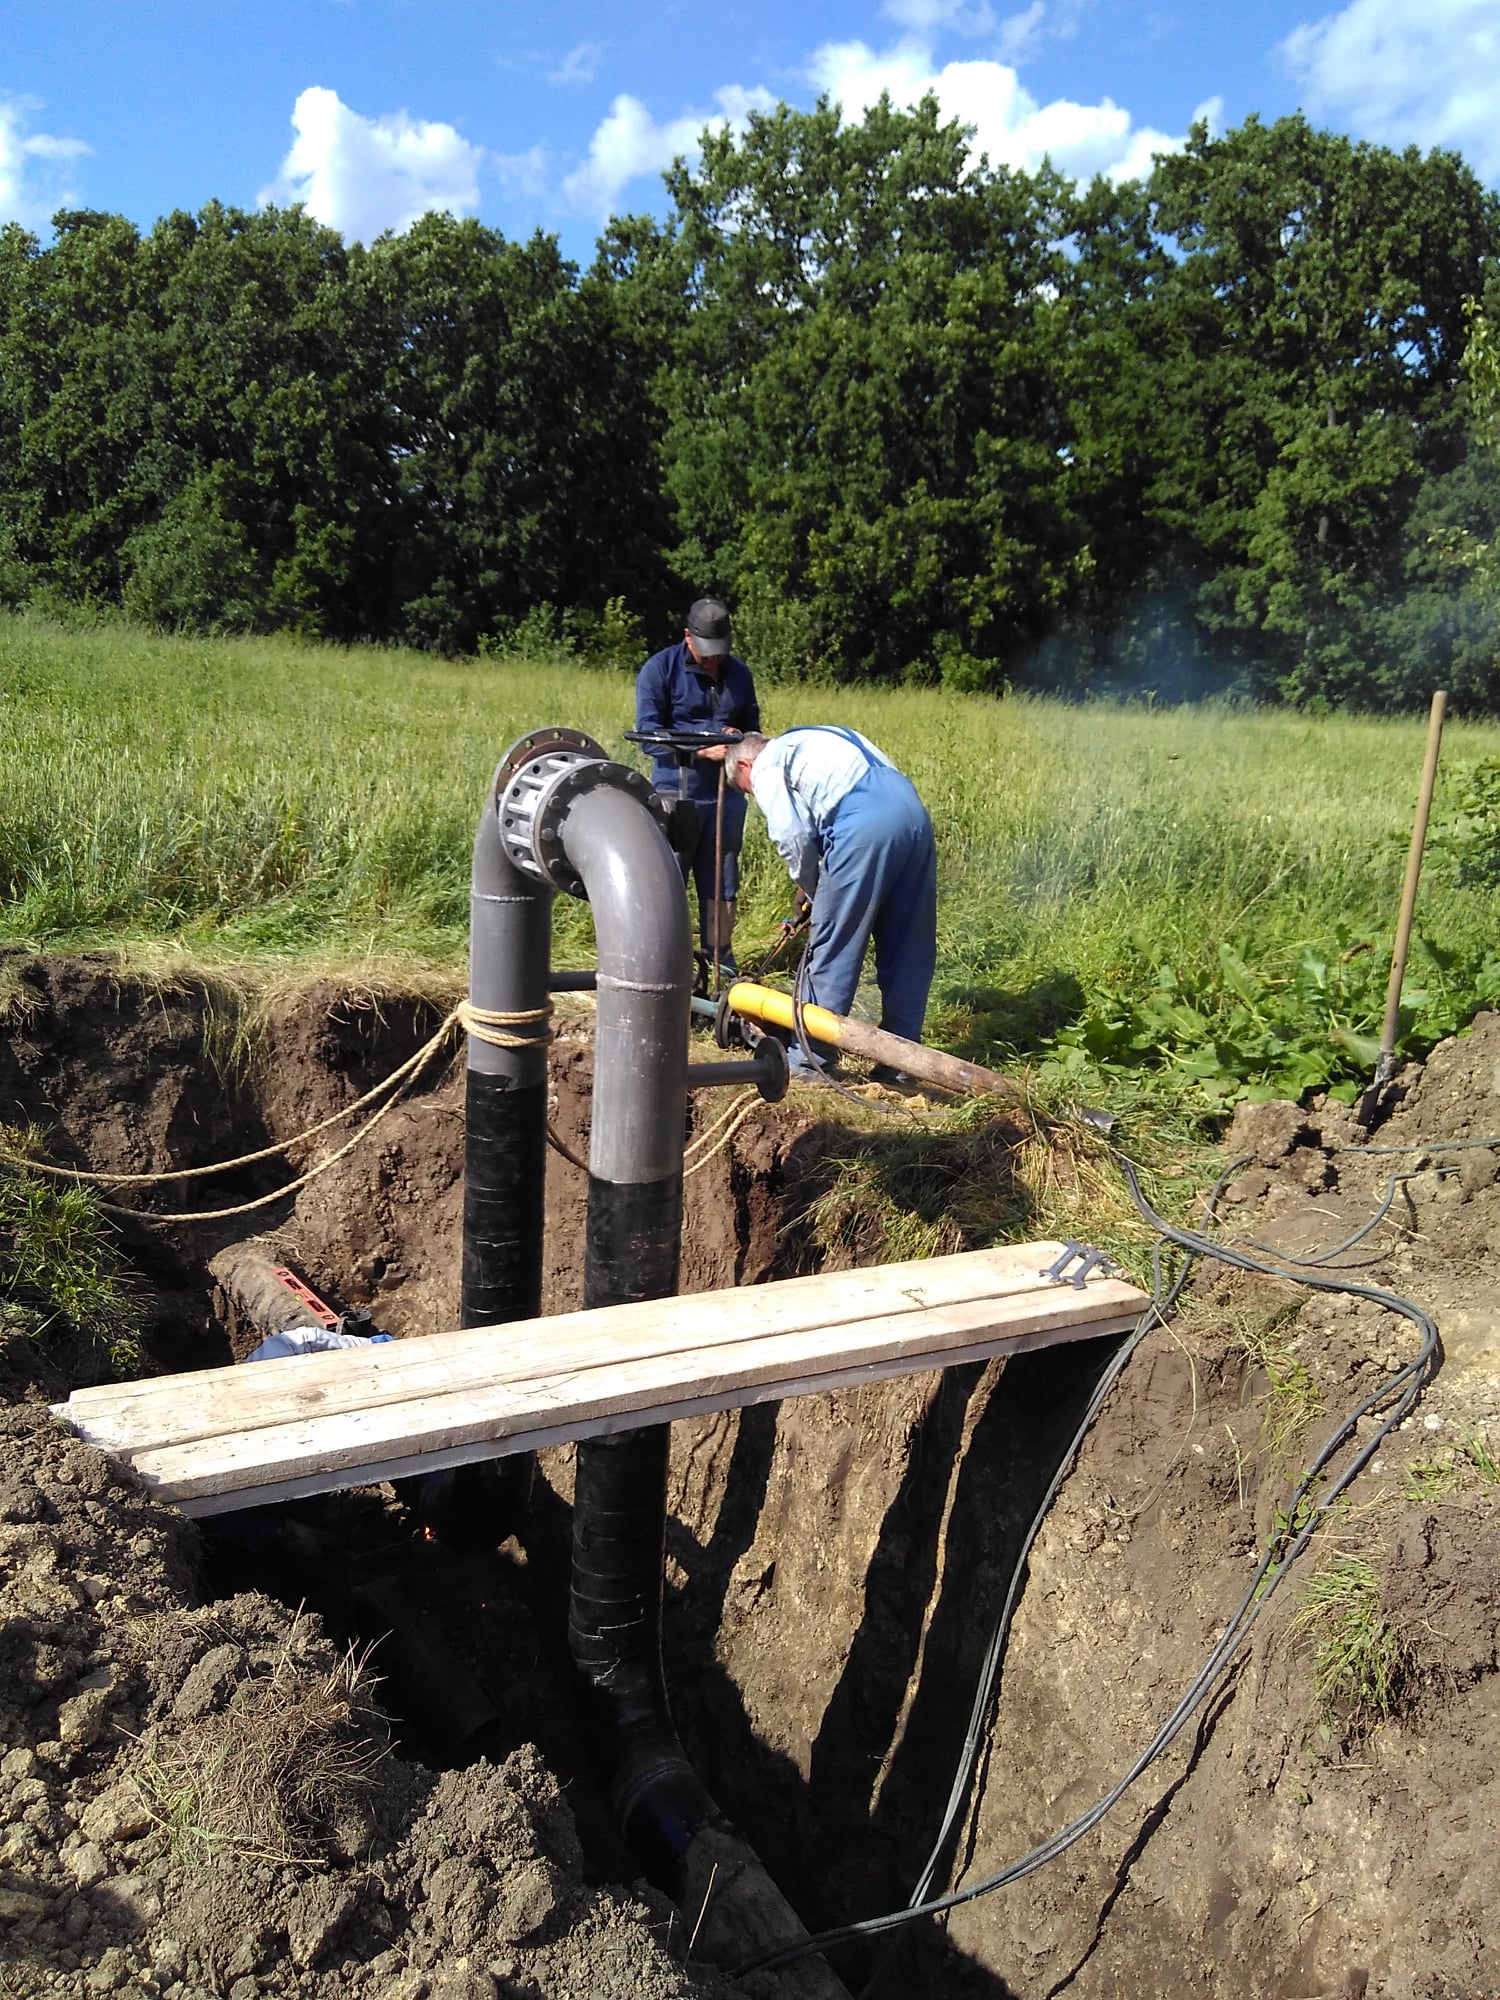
(237, 1437)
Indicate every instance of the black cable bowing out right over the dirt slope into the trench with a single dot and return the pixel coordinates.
(1297, 1525)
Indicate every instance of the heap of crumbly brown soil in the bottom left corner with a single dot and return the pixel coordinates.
(201, 1799)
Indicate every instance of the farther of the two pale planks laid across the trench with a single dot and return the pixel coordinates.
(207, 1403)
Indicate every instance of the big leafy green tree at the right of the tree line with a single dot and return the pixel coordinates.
(1311, 329)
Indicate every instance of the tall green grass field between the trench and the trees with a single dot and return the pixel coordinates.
(1193, 895)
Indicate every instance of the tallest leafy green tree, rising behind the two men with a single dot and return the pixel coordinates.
(861, 429)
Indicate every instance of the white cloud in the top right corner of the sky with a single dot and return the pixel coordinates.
(1407, 75)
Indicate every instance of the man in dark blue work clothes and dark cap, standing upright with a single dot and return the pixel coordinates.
(701, 685)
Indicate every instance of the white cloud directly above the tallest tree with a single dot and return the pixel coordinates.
(1009, 123)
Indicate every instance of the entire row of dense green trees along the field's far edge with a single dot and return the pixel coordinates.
(917, 417)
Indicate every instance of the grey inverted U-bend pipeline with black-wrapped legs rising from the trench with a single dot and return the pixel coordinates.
(563, 817)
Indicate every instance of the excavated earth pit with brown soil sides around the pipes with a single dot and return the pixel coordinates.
(321, 1755)
